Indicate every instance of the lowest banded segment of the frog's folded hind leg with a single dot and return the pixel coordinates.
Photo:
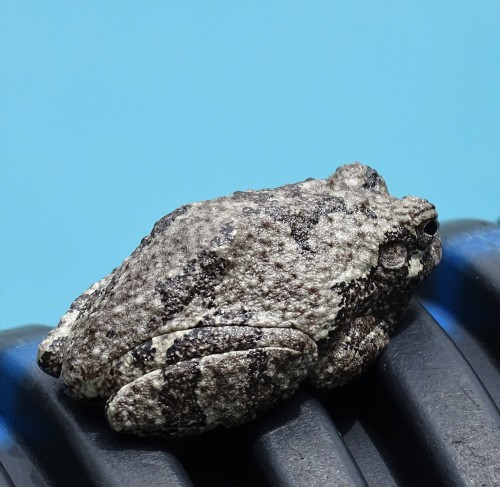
(201, 394)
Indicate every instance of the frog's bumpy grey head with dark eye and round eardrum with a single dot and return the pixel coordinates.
(400, 236)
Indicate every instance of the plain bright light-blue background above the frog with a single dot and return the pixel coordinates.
(115, 113)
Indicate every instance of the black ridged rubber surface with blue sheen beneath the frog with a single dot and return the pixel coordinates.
(427, 413)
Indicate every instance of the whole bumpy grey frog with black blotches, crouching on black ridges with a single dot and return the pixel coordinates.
(229, 304)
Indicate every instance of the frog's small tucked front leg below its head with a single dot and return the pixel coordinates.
(349, 350)
